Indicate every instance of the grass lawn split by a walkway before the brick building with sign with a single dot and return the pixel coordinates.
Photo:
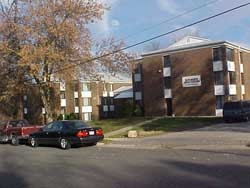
(156, 127)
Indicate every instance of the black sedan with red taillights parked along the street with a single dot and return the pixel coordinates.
(66, 133)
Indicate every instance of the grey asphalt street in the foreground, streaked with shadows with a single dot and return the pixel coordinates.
(112, 167)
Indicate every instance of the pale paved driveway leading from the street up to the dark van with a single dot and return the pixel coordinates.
(216, 137)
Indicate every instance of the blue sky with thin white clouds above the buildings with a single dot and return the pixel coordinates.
(137, 20)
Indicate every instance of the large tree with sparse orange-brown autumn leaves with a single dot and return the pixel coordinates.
(51, 40)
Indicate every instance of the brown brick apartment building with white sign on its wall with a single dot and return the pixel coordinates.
(193, 77)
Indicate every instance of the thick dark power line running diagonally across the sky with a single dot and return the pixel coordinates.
(156, 37)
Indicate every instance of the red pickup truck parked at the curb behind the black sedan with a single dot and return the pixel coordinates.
(16, 131)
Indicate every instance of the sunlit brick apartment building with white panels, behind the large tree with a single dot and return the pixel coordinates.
(87, 100)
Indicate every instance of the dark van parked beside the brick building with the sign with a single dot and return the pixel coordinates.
(236, 111)
